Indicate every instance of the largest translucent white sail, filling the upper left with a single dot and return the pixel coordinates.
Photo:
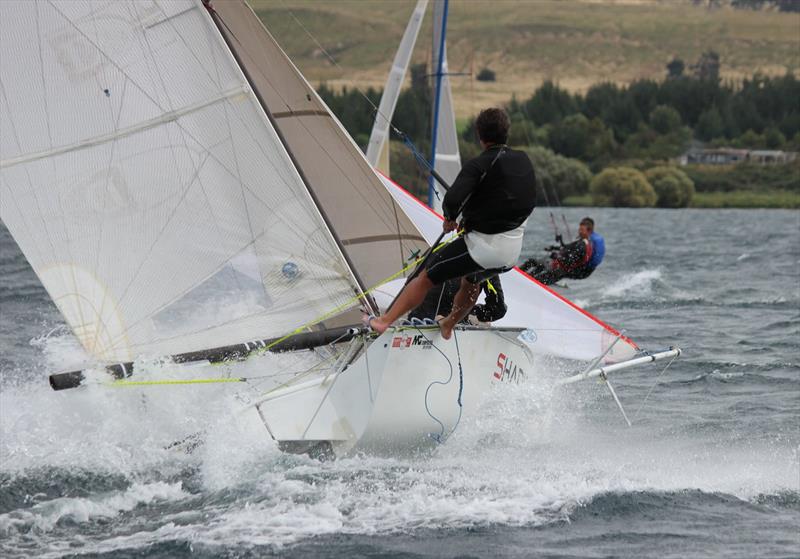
(145, 185)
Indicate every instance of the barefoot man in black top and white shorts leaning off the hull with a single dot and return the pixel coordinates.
(495, 194)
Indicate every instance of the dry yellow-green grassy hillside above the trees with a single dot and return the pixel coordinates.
(575, 42)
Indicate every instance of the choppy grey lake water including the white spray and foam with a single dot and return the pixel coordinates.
(710, 468)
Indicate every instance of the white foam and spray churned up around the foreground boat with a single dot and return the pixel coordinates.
(531, 456)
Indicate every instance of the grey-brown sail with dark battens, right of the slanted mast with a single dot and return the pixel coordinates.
(376, 235)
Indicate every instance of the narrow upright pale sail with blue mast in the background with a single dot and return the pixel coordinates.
(446, 158)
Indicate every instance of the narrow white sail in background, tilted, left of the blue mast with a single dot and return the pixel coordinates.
(378, 147)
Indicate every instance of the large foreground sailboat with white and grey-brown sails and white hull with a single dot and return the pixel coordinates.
(182, 192)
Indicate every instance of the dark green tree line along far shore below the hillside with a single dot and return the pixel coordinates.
(571, 137)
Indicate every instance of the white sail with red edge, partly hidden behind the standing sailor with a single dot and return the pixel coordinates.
(556, 325)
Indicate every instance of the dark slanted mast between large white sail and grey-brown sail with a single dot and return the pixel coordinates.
(224, 32)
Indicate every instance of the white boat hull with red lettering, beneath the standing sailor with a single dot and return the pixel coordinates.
(404, 393)
